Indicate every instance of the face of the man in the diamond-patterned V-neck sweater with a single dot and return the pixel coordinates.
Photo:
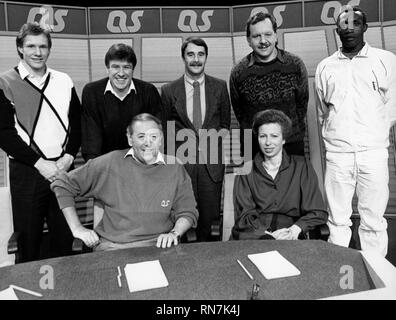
(35, 52)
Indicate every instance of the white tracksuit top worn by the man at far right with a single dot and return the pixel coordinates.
(356, 99)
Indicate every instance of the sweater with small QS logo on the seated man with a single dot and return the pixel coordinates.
(140, 201)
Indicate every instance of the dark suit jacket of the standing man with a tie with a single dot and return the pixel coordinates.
(217, 116)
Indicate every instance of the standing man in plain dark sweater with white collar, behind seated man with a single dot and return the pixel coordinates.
(109, 104)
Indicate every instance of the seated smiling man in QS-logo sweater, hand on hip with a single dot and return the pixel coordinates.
(147, 196)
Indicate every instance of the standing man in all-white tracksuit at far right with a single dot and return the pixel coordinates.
(356, 103)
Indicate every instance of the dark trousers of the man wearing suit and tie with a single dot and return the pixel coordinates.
(208, 196)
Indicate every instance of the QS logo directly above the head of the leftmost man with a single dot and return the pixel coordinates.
(50, 19)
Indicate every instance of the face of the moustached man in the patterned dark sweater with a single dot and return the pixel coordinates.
(262, 40)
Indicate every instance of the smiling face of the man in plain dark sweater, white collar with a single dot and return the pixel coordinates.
(120, 75)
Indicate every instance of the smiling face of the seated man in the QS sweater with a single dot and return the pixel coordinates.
(145, 140)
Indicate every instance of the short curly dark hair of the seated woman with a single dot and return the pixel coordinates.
(272, 116)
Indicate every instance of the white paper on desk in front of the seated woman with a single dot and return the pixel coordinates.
(273, 265)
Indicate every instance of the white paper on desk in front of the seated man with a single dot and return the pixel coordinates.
(145, 275)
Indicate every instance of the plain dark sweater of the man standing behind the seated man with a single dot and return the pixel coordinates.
(105, 118)
